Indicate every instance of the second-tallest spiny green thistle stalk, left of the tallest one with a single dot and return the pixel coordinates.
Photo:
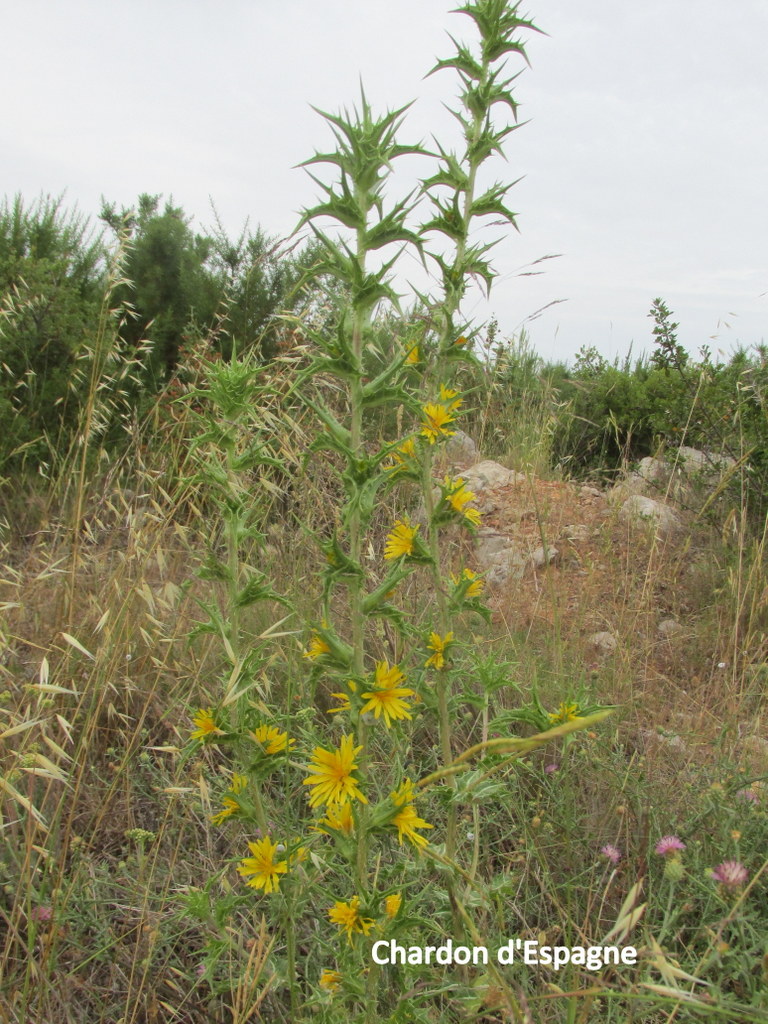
(366, 147)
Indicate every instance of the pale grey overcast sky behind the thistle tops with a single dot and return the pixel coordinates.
(645, 160)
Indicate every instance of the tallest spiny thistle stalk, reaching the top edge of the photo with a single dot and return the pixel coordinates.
(457, 207)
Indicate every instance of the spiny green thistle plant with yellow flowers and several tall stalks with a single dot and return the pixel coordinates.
(355, 849)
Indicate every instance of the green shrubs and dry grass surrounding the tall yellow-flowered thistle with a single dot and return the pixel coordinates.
(120, 899)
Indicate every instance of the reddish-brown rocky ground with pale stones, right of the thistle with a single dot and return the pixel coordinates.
(621, 581)
